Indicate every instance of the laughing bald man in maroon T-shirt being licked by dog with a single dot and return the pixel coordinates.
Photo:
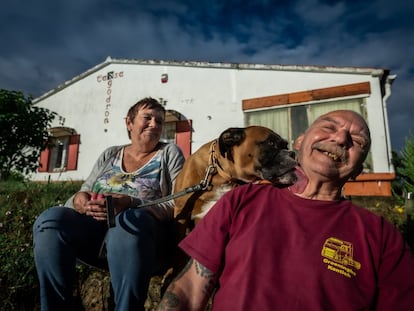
(303, 247)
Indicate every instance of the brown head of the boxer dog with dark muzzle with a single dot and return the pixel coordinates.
(257, 153)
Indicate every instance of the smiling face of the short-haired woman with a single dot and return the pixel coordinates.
(147, 125)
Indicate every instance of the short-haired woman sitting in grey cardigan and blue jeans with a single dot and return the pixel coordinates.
(133, 174)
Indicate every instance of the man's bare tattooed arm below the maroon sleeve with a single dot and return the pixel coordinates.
(190, 290)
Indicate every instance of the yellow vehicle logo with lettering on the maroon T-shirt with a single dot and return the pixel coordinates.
(339, 257)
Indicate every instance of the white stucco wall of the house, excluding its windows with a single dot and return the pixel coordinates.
(211, 96)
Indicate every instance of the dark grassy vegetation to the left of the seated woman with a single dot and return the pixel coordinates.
(20, 203)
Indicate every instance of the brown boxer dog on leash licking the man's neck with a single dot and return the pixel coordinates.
(237, 156)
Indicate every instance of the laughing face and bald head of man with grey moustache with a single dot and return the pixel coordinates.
(334, 147)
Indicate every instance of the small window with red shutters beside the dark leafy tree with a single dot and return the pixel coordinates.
(62, 152)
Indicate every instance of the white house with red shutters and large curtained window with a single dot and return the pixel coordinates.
(203, 99)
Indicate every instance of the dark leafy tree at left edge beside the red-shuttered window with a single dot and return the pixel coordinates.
(23, 133)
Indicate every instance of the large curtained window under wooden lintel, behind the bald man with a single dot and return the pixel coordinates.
(290, 115)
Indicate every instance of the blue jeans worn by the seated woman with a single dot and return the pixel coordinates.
(137, 247)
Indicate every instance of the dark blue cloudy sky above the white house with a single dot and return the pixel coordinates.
(45, 43)
